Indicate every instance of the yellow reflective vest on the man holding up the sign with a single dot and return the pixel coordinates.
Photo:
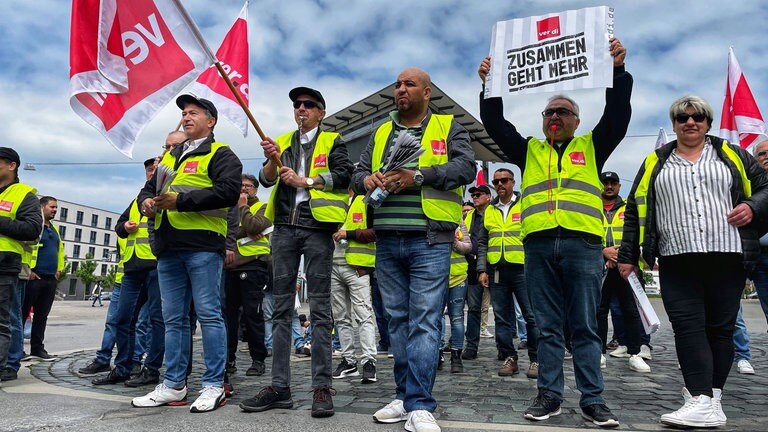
(570, 197)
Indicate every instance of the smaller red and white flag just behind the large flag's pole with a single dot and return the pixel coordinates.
(233, 55)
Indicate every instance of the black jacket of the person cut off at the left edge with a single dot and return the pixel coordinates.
(26, 227)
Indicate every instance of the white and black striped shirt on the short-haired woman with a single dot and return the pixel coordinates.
(692, 205)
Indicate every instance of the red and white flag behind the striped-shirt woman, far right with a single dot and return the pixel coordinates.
(740, 122)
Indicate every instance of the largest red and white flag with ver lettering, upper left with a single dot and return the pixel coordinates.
(128, 58)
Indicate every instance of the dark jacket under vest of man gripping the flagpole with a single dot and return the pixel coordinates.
(286, 211)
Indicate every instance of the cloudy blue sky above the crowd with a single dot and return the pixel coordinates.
(348, 50)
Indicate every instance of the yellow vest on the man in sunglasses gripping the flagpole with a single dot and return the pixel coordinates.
(326, 206)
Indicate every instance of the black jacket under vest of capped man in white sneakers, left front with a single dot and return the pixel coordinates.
(225, 171)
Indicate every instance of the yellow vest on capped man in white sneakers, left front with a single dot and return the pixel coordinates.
(192, 175)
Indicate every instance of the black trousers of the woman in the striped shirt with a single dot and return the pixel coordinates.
(702, 294)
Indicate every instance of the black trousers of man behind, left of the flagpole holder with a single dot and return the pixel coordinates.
(245, 289)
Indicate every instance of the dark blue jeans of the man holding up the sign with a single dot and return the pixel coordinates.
(564, 278)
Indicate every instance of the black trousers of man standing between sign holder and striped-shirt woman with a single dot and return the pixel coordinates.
(615, 284)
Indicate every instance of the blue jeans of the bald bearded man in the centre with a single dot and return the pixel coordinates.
(413, 278)
